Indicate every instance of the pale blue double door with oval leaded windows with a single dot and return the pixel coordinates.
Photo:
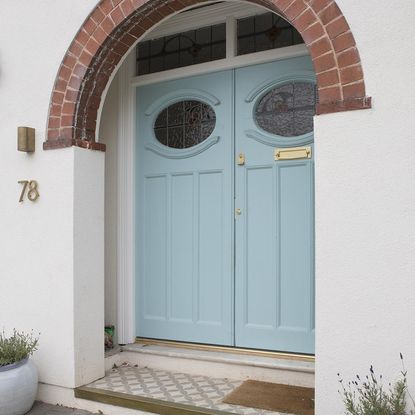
(224, 226)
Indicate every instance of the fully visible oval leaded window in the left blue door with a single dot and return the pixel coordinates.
(185, 124)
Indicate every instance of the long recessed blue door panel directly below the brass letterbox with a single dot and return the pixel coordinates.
(294, 215)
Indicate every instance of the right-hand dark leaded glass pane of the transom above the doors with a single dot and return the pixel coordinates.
(265, 31)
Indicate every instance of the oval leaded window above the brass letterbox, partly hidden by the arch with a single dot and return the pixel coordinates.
(288, 110)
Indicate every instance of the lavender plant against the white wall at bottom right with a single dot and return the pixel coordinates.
(369, 396)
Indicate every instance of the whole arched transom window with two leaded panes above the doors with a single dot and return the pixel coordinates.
(248, 30)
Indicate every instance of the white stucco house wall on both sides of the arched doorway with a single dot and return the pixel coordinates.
(365, 198)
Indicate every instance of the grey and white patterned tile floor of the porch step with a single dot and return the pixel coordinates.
(181, 388)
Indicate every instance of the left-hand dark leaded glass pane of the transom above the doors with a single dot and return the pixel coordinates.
(182, 49)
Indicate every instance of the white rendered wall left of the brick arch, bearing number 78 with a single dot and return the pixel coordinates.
(38, 279)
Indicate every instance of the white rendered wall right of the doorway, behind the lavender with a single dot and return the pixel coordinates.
(365, 210)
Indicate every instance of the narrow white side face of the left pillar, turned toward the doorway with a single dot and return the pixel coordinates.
(88, 241)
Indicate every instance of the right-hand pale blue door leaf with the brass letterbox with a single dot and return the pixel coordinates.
(274, 299)
